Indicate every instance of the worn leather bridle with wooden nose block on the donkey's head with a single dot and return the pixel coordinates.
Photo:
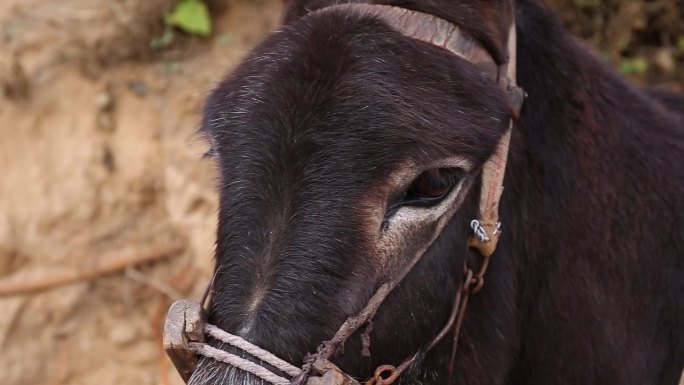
(184, 324)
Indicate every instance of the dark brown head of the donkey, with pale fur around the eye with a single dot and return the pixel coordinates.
(345, 149)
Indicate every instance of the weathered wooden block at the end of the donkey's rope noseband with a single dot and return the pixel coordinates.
(184, 324)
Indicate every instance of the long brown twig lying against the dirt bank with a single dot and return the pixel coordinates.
(109, 266)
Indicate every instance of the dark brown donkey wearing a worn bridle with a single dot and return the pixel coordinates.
(338, 140)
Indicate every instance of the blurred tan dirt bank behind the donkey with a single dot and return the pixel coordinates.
(100, 168)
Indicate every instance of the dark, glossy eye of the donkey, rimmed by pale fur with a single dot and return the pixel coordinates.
(431, 186)
